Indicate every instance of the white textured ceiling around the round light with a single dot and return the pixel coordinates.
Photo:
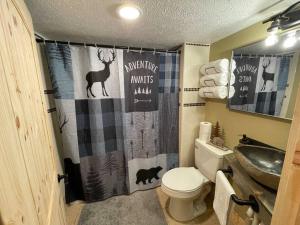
(163, 24)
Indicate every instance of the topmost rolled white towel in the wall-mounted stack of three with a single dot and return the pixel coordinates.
(218, 66)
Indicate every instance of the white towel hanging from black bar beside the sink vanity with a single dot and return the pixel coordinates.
(223, 194)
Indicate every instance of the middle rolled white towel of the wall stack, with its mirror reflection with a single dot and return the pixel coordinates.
(218, 79)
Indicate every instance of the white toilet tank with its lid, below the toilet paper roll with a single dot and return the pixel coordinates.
(209, 159)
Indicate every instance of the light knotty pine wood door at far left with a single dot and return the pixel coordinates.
(31, 164)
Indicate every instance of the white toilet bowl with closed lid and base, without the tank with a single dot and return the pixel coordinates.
(187, 189)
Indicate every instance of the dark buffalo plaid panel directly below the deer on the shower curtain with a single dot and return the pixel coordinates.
(99, 126)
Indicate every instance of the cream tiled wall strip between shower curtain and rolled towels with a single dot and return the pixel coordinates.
(192, 57)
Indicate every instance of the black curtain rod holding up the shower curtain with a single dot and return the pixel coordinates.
(39, 40)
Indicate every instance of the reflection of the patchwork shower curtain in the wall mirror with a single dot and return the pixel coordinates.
(261, 83)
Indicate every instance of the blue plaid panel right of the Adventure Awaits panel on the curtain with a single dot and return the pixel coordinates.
(169, 73)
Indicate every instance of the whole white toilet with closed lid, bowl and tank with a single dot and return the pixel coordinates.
(187, 187)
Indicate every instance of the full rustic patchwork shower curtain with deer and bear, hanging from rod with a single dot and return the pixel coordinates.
(118, 118)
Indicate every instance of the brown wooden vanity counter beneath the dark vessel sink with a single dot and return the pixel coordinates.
(264, 196)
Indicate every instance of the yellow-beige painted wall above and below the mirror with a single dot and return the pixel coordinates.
(267, 129)
